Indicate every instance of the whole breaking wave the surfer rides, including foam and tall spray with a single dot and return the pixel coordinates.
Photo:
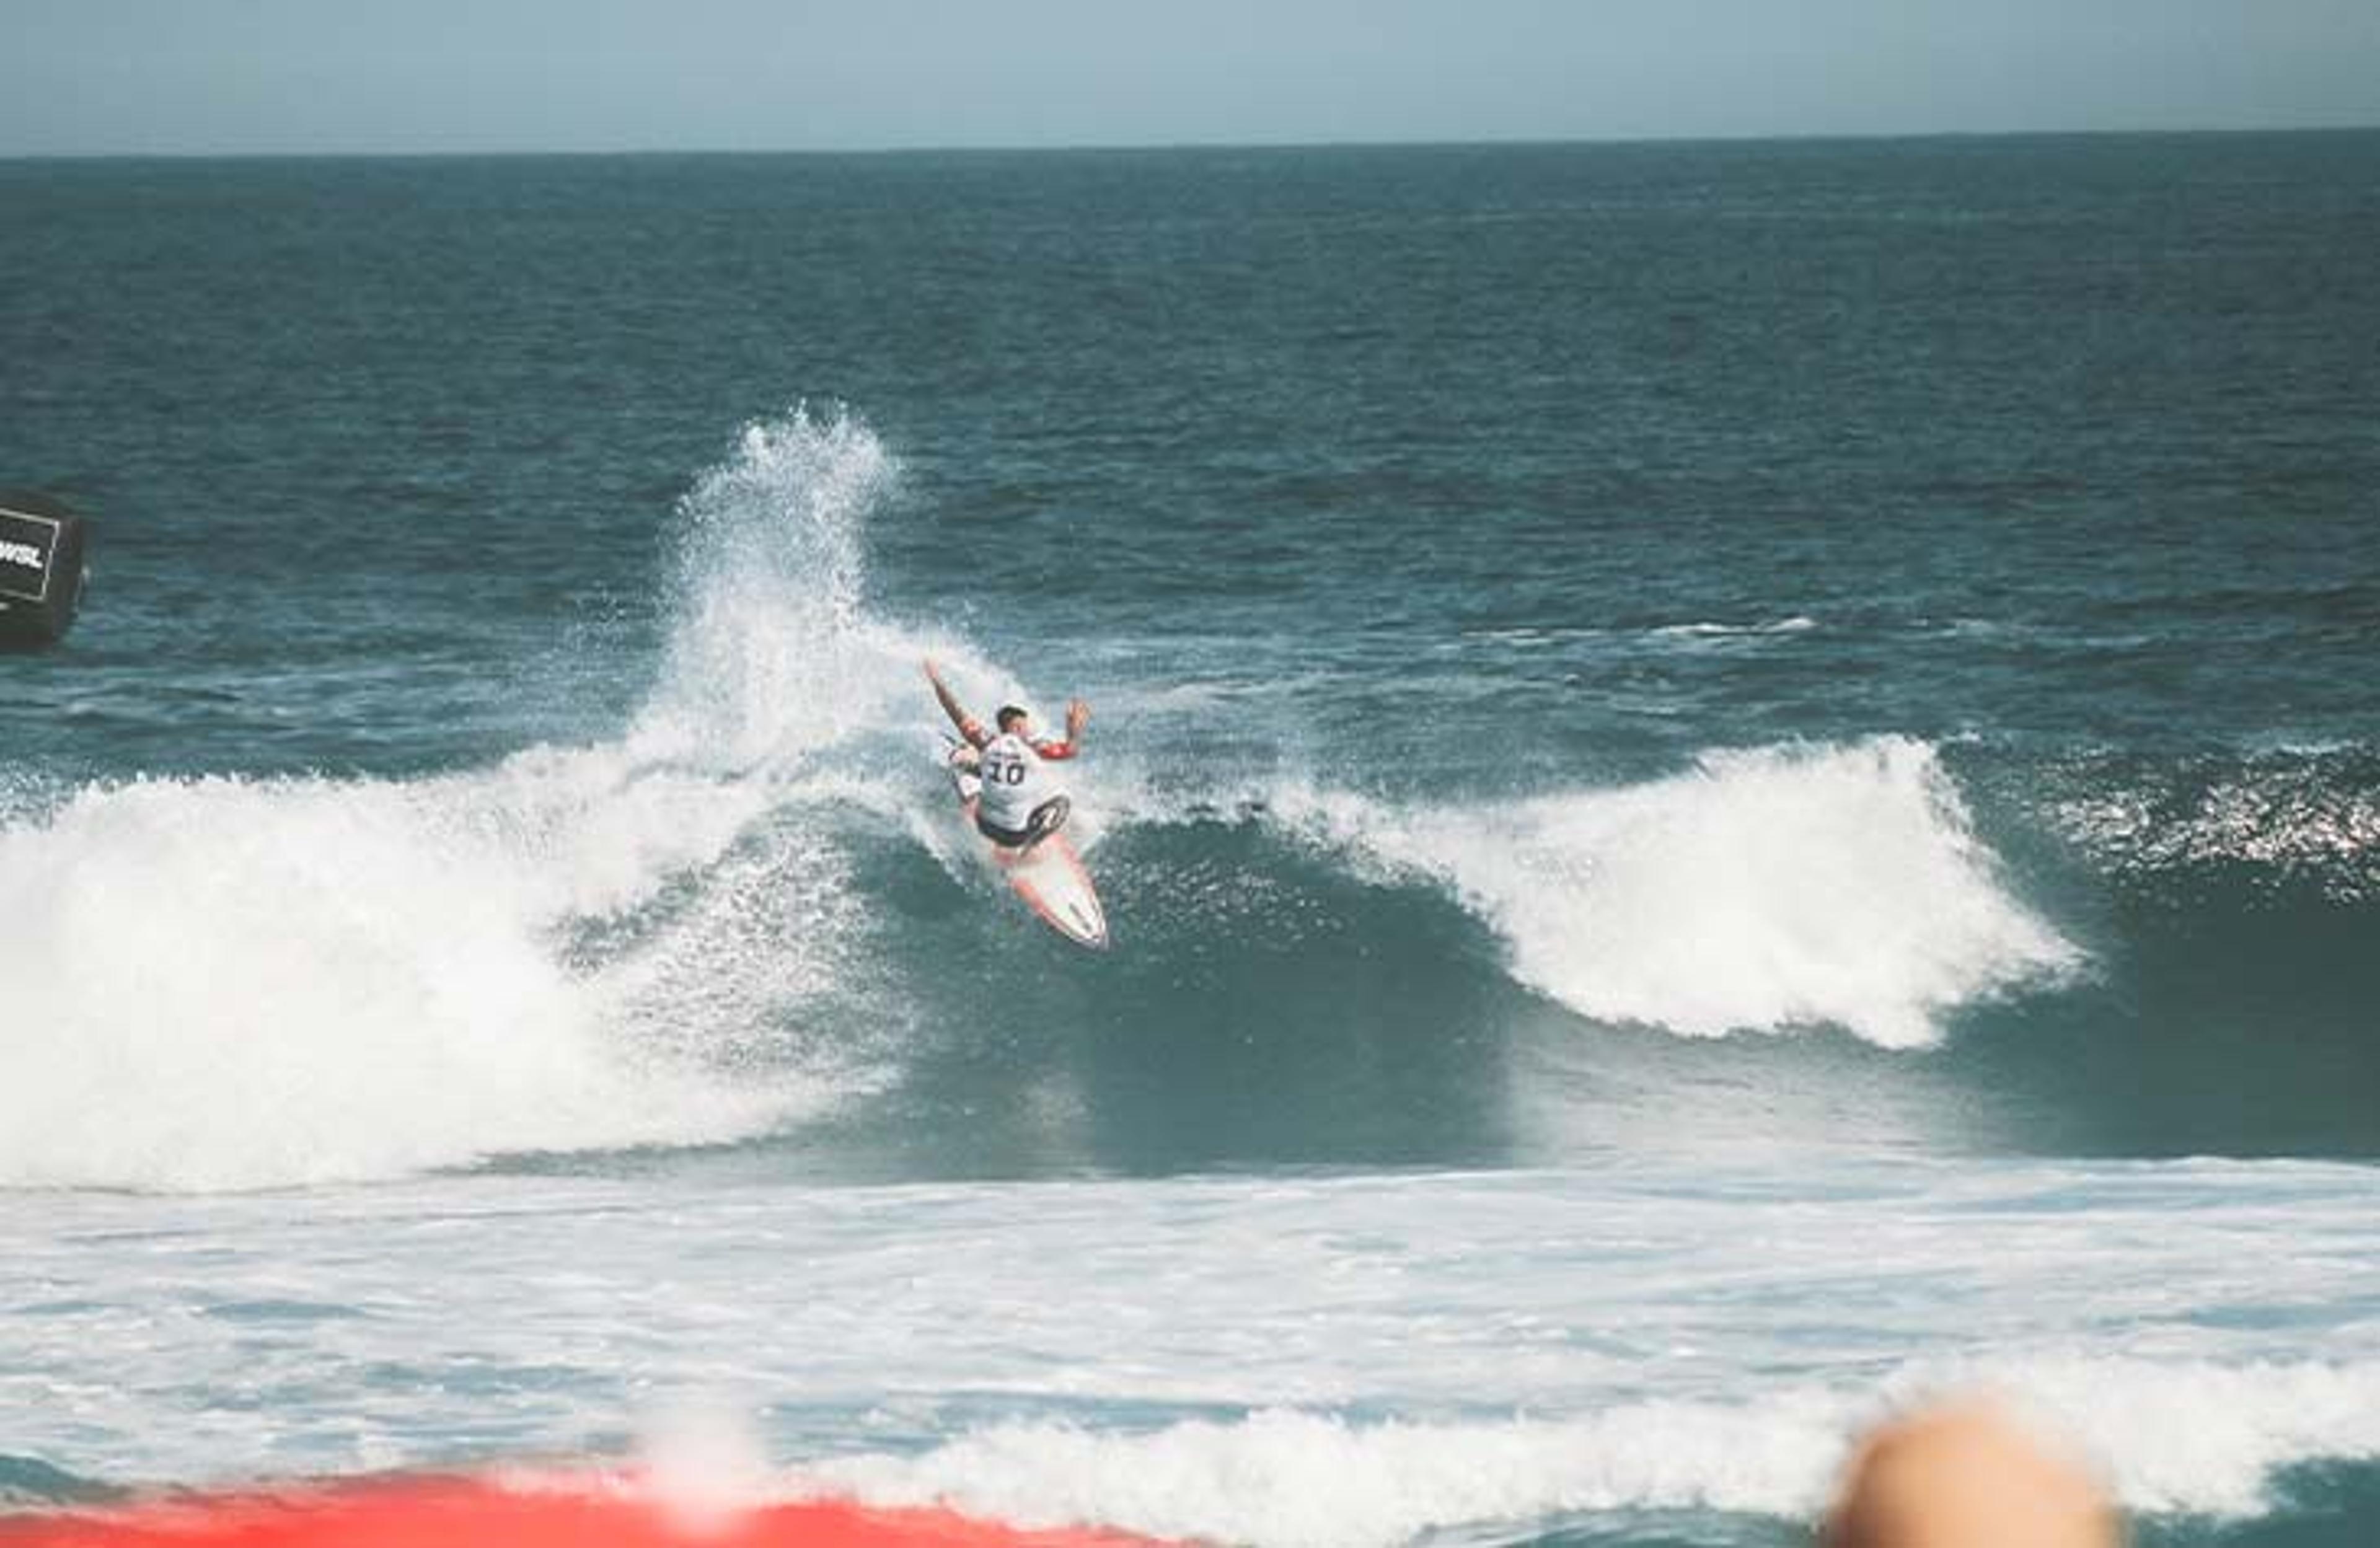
(751, 917)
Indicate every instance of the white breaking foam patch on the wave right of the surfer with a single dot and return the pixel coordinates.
(1765, 891)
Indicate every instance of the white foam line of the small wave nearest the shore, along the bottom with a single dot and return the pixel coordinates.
(2196, 1440)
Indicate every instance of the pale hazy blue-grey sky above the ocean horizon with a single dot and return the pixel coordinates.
(794, 75)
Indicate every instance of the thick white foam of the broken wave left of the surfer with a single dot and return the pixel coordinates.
(275, 983)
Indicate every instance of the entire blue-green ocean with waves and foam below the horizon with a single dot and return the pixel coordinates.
(1736, 784)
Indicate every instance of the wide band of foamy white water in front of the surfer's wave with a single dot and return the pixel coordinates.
(1336, 1361)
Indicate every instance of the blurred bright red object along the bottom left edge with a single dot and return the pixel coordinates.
(463, 1514)
